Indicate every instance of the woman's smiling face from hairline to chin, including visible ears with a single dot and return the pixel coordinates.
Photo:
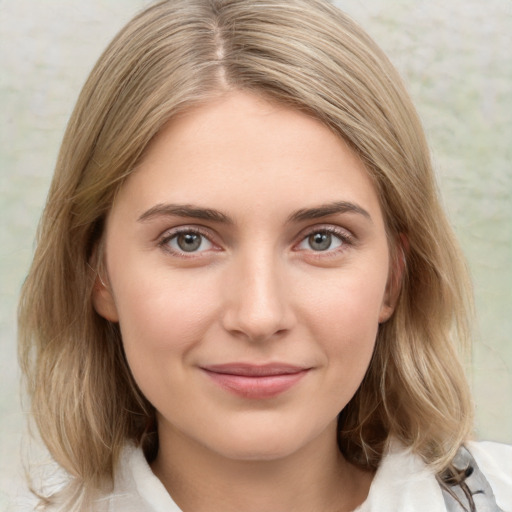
(247, 265)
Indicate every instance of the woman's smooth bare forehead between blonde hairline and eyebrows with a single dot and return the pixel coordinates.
(243, 151)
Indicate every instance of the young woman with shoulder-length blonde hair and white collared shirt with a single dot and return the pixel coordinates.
(245, 294)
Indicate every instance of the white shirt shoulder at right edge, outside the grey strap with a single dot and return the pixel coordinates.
(495, 462)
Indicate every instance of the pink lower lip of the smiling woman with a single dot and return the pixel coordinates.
(257, 387)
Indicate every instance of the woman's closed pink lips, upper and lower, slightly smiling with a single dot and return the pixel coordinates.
(255, 381)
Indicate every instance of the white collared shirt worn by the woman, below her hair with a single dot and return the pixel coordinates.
(402, 483)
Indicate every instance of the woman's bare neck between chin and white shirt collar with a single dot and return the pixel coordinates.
(316, 477)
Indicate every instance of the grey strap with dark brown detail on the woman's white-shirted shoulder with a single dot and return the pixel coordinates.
(465, 488)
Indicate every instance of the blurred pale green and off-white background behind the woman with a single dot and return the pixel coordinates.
(455, 57)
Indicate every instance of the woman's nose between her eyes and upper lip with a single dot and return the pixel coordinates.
(257, 304)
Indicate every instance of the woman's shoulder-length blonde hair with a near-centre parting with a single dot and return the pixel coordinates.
(307, 55)
